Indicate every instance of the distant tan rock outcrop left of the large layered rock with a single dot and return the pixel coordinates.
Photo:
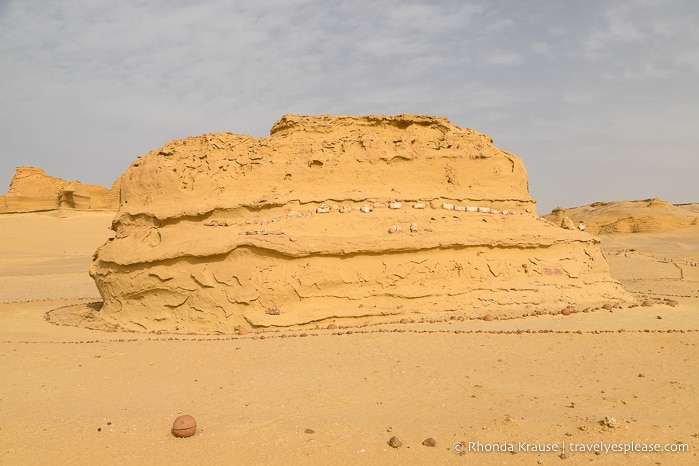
(33, 190)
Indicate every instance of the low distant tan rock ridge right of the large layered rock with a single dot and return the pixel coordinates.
(643, 216)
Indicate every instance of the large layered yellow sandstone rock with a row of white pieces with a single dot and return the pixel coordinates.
(336, 217)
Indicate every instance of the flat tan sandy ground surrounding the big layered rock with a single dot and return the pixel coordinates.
(599, 379)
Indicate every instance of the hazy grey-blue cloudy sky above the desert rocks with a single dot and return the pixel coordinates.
(599, 98)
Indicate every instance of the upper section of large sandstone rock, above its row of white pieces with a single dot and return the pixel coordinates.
(313, 159)
